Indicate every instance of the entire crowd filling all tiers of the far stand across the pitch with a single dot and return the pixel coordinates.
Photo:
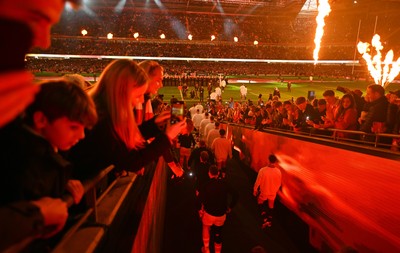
(280, 37)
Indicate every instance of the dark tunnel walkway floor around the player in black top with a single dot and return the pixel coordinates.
(242, 230)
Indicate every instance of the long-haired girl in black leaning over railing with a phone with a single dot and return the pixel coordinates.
(117, 139)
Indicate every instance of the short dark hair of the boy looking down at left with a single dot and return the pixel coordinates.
(61, 98)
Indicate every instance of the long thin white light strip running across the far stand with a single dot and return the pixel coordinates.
(331, 62)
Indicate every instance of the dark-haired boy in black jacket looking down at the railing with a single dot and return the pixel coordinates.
(31, 166)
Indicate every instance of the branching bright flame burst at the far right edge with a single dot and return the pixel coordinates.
(382, 76)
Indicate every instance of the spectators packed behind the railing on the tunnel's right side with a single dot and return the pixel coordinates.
(373, 113)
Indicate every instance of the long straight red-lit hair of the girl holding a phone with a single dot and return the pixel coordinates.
(112, 96)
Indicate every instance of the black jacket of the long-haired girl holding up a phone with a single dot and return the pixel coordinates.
(101, 148)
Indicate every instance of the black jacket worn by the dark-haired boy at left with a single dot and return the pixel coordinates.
(31, 169)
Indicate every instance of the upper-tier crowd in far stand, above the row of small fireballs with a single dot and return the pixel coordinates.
(341, 27)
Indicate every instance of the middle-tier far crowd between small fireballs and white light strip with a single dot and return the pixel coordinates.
(293, 51)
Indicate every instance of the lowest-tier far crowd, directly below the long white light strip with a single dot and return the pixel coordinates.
(198, 68)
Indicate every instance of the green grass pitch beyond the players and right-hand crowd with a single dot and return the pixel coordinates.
(300, 88)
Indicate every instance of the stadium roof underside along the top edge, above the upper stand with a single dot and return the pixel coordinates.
(251, 7)
